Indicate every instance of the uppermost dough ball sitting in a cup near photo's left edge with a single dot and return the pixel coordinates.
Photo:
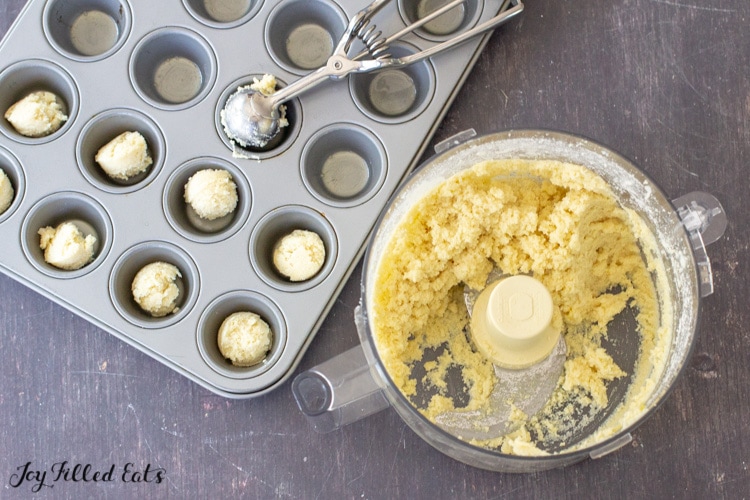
(39, 114)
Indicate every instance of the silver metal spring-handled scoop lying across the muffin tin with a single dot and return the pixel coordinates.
(251, 118)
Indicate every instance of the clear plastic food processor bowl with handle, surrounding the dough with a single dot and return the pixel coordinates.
(356, 383)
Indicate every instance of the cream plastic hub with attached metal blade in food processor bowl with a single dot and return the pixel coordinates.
(512, 324)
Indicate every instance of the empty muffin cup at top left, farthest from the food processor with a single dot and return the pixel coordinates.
(87, 30)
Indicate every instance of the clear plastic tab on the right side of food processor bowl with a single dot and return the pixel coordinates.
(705, 221)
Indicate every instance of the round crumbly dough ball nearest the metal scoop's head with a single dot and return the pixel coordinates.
(212, 193)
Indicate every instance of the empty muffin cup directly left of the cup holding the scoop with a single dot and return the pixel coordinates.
(173, 68)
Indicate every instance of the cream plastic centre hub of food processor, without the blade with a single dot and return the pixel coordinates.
(512, 322)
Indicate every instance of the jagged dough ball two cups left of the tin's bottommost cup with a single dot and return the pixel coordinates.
(65, 247)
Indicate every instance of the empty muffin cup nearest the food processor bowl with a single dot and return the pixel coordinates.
(343, 165)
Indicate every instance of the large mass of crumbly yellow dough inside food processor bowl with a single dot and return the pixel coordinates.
(561, 224)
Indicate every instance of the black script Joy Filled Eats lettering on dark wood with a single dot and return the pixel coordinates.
(28, 475)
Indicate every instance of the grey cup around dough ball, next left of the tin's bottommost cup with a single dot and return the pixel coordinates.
(132, 261)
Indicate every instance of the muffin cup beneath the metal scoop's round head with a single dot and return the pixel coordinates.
(283, 140)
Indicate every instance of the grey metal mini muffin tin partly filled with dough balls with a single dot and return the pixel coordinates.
(166, 69)
